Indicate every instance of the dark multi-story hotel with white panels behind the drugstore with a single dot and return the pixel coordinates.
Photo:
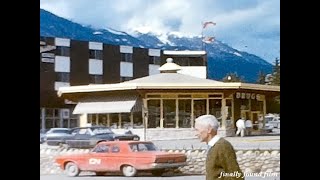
(68, 62)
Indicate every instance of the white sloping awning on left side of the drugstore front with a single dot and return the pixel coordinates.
(112, 104)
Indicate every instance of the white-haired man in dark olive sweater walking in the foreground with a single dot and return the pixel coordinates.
(221, 162)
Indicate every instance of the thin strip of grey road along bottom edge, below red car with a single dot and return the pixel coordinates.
(63, 177)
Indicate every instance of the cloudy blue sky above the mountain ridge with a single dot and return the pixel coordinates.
(252, 26)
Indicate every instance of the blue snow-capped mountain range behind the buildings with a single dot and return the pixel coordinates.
(222, 59)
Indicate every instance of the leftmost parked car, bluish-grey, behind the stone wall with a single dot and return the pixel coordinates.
(57, 136)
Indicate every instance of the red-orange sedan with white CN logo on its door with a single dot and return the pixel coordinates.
(127, 157)
